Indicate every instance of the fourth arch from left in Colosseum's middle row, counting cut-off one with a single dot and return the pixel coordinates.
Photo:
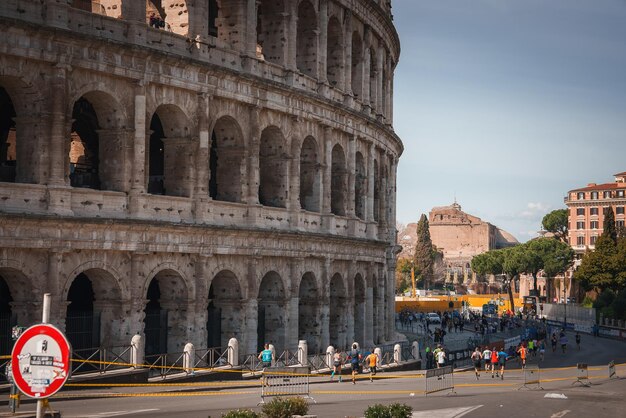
(225, 161)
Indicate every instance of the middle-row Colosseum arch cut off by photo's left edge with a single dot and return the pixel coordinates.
(18, 132)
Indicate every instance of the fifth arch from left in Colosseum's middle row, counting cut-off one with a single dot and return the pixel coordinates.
(273, 163)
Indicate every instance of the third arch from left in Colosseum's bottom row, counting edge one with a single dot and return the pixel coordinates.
(165, 321)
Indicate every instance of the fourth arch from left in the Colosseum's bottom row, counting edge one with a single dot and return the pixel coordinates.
(224, 310)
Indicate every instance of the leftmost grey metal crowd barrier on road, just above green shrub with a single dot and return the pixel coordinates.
(285, 381)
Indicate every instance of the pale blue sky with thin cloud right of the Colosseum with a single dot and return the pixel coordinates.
(508, 104)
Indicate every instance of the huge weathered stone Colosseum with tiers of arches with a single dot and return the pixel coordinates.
(193, 171)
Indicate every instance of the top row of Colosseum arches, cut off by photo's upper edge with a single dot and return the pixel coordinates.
(356, 61)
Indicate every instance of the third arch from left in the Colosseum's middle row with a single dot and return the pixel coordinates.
(169, 152)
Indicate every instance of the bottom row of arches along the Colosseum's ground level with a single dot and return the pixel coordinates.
(97, 313)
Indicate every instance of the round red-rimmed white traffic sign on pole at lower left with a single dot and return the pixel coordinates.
(40, 361)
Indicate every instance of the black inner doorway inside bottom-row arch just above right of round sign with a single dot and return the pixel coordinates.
(82, 324)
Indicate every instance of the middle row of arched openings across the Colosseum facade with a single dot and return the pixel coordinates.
(99, 144)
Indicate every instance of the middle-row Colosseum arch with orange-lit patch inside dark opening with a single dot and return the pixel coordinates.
(95, 158)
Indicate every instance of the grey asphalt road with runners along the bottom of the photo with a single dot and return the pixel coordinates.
(558, 396)
